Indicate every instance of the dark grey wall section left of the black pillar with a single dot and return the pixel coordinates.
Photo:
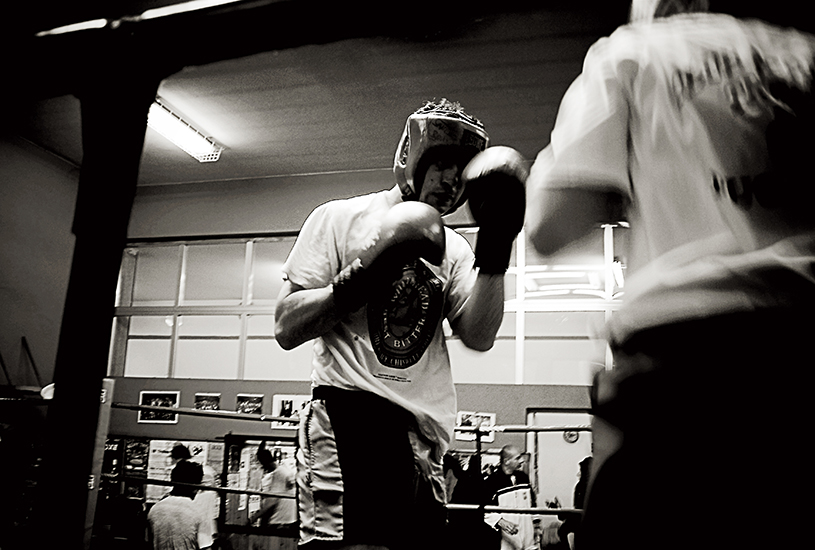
(37, 196)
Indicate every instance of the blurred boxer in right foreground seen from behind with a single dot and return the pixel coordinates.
(697, 128)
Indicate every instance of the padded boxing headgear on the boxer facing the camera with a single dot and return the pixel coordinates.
(436, 124)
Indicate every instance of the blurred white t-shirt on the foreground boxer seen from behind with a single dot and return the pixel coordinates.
(672, 116)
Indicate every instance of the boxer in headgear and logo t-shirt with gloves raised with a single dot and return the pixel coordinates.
(370, 280)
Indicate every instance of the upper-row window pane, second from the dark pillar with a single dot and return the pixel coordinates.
(214, 274)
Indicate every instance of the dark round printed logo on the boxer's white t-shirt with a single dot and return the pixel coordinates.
(403, 321)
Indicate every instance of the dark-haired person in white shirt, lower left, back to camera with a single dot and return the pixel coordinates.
(174, 522)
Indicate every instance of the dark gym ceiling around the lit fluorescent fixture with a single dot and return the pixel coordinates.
(298, 88)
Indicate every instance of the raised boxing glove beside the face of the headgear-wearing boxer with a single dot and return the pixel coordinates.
(495, 185)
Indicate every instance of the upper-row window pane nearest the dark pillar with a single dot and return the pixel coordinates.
(156, 280)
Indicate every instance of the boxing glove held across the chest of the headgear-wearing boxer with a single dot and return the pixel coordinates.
(410, 230)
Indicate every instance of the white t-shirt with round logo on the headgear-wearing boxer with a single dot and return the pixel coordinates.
(402, 356)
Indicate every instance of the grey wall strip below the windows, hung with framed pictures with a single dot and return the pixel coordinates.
(510, 403)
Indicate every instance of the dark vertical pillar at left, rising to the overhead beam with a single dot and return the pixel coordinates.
(115, 100)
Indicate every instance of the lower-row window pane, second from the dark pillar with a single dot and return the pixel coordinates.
(208, 347)
